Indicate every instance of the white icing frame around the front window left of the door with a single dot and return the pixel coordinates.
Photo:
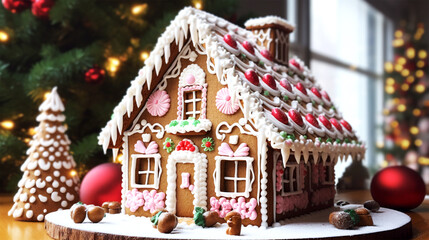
(156, 172)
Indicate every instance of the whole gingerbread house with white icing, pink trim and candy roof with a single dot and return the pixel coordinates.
(220, 118)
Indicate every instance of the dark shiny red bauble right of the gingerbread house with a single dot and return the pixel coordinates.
(398, 187)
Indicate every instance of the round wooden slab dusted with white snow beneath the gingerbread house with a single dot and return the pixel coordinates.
(389, 224)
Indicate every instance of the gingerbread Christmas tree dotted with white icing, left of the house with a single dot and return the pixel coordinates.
(49, 181)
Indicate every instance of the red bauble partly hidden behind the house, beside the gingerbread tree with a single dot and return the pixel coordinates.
(102, 184)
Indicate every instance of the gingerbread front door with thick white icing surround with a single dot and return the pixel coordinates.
(186, 176)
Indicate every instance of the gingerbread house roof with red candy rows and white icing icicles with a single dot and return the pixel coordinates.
(282, 101)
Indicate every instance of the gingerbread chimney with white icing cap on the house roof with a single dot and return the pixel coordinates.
(273, 33)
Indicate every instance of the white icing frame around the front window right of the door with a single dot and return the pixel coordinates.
(250, 176)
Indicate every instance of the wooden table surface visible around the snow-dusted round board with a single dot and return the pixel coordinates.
(16, 230)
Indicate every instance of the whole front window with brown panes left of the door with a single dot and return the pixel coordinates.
(145, 170)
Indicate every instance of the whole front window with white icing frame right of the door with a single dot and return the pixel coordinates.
(233, 176)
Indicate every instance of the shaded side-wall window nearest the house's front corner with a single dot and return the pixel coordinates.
(291, 180)
